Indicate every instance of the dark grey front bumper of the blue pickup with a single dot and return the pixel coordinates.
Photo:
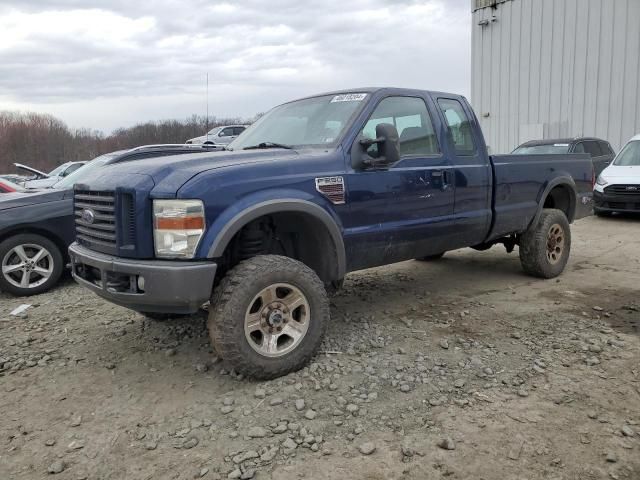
(167, 286)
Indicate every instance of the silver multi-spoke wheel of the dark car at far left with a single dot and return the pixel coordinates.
(31, 264)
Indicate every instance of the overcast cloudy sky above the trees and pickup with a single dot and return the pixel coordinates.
(104, 64)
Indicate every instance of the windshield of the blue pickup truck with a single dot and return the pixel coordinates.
(311, 122)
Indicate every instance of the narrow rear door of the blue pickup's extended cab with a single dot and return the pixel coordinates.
(472, 173)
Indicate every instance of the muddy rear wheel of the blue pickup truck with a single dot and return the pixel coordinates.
(545, 247)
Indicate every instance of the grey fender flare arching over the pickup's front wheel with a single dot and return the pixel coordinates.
(258, 210)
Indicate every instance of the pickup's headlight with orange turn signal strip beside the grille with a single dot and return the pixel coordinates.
(178, 226)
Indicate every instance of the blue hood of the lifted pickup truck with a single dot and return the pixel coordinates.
(172, 172)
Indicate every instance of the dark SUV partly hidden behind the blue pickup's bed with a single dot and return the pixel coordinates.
(600, 151)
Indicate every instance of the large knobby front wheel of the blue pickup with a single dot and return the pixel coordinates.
(268, 316)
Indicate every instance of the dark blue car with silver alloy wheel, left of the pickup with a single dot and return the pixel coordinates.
(37, 226)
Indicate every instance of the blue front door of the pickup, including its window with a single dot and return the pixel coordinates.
(405, 210)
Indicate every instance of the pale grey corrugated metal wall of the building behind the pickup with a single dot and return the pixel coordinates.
(557, 68)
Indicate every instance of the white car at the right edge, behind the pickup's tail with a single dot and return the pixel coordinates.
(618, 186)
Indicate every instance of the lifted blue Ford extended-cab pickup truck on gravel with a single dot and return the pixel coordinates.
(315, 189)
